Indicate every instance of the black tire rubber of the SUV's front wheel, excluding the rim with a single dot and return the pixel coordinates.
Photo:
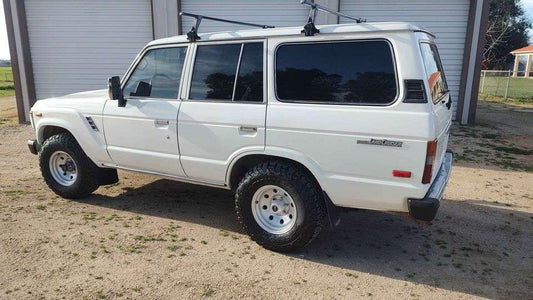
(87, 178)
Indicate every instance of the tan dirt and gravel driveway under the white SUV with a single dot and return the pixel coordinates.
(150, 238)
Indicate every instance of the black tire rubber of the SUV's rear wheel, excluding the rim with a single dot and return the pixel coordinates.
(304, 190)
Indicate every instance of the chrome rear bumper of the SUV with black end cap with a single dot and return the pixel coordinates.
(426, 208)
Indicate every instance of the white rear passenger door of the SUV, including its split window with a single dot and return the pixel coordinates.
(223, 114)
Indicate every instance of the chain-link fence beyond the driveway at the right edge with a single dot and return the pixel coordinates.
(503, 84)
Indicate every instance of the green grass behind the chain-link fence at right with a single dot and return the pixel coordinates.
(519, 88)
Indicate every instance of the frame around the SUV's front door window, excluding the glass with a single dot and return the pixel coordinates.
(139, 58)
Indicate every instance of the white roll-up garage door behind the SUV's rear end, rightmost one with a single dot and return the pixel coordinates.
(446, 19)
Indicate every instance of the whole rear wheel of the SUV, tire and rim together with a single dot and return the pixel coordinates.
(280, 206)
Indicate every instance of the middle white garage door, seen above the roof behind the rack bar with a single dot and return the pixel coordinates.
(279, 13)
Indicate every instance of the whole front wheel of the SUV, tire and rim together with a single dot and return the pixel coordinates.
(66, 168)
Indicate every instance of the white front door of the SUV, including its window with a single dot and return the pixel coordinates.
(143, 135)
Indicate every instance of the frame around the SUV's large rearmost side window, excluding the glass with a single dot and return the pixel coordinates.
(347, 40)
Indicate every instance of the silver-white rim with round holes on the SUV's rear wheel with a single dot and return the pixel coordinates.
(273, 209)
